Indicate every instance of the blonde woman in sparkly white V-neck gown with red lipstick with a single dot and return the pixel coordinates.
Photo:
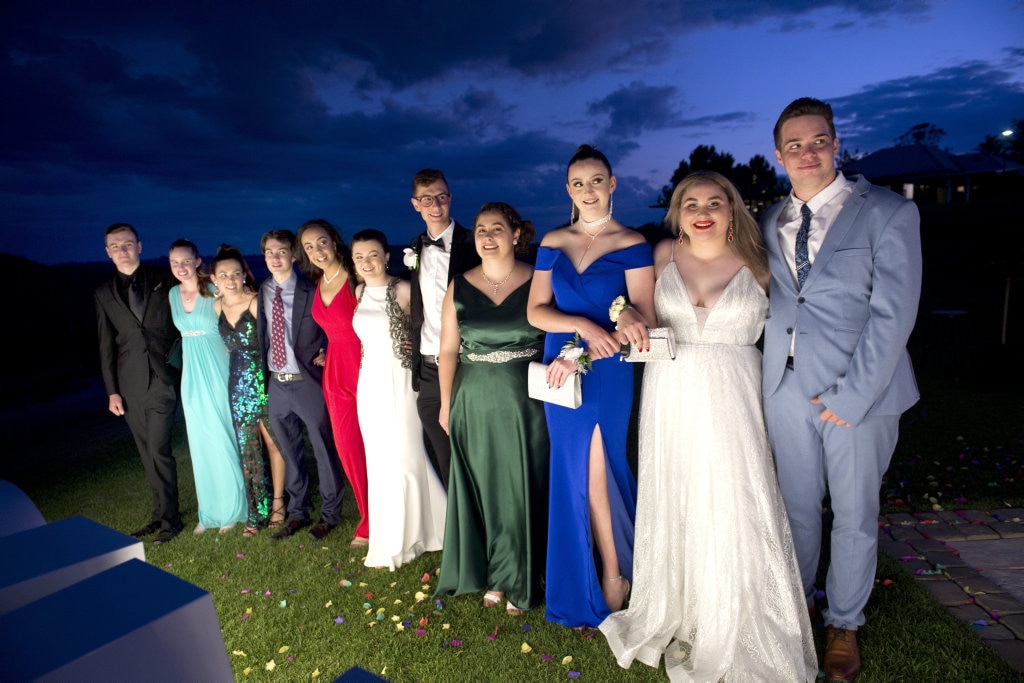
(716, 587)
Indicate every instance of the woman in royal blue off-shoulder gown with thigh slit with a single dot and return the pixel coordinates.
(580, 271)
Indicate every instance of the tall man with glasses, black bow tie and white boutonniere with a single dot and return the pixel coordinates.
(443, 252)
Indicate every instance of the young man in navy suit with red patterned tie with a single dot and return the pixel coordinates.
(295, 395)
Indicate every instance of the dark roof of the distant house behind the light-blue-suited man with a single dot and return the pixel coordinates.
(914, 162)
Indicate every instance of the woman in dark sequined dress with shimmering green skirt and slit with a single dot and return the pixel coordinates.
(263, 465)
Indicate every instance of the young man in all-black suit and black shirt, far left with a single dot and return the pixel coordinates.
(137, 340)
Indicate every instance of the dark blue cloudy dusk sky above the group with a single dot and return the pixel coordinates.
(220, 120)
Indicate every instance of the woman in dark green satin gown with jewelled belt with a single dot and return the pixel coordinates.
(496, 533)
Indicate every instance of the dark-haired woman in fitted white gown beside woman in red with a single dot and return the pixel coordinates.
(406, 498)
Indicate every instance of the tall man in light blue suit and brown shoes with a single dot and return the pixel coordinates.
(845, 259)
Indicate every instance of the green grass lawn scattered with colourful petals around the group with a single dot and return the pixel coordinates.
(301, 610)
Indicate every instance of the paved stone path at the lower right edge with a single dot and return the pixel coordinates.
(973, 563)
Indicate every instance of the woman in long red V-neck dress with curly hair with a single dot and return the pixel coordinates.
(327, 262)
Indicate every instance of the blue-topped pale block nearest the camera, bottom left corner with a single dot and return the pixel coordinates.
(132, 623)
